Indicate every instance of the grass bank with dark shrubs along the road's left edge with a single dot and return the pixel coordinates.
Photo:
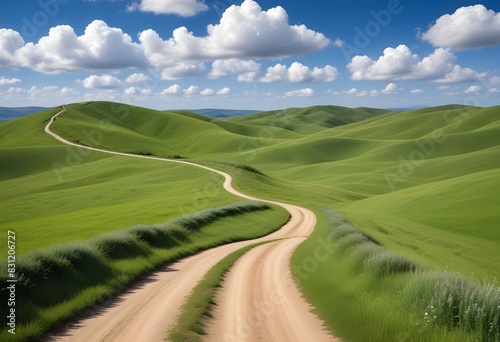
(57, 282)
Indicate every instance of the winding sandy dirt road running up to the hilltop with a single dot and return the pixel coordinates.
(258, 302)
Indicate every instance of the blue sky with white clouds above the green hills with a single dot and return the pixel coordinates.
(258, 55)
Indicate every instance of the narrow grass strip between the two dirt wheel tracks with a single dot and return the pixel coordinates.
(190, 325)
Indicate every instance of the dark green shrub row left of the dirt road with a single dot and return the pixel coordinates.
(52, 275)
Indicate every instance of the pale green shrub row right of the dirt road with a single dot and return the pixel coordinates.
(441, 299)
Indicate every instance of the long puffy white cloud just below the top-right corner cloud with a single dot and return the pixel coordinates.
(400, 64)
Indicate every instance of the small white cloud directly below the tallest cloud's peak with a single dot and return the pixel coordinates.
(245, 69)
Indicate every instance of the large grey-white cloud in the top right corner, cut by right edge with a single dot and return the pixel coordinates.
(469, 27)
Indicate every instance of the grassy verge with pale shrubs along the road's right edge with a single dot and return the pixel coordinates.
(365, 292)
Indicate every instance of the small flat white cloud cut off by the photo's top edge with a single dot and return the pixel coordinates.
(184, 8)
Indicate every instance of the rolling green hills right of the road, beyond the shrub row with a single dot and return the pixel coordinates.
(432, 169)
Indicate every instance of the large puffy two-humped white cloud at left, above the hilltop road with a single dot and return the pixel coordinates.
(100, 47)
